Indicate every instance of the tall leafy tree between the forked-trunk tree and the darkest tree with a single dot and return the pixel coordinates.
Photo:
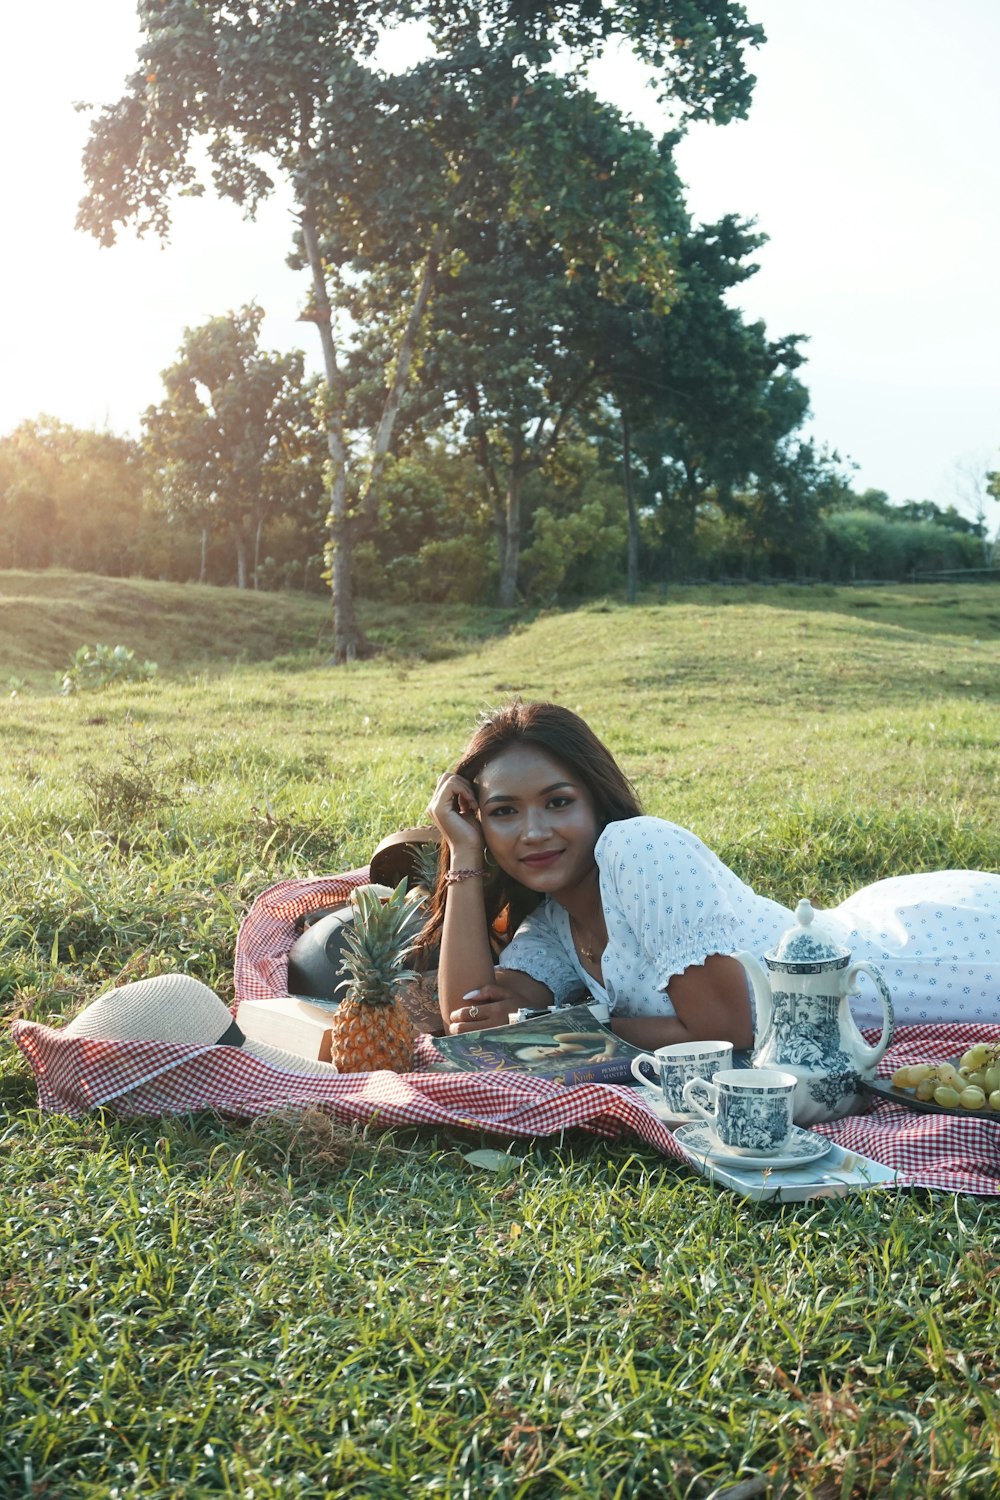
(515, 343)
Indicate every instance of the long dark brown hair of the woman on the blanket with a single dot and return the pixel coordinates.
(570, 742)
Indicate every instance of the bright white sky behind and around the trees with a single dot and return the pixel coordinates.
(872, 160)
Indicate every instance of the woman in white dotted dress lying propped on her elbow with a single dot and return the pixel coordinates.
(543, 835)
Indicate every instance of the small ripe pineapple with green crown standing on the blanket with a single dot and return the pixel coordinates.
(371, 1030)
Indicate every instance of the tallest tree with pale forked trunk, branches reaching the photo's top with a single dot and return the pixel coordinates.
(380, 167)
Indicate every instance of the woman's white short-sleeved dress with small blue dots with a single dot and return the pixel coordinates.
(669, 902)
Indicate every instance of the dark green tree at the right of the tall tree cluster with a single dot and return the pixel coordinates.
(707, 403)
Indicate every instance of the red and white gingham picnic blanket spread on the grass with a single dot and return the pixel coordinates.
(149, 1079)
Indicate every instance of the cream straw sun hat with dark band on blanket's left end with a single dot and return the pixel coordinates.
(179, 1009)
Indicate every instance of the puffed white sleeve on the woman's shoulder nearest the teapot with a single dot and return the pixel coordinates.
(669, 895)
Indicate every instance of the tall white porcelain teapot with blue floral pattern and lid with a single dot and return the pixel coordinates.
(804, 1022)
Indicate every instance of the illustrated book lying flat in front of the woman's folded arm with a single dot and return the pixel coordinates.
(569, 1046)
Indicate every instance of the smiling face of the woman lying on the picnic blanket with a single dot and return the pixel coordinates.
(537, 820)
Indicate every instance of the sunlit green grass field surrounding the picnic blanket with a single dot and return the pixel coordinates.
(281, 1310)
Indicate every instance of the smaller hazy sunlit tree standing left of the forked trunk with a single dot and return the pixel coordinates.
(236, 440)
